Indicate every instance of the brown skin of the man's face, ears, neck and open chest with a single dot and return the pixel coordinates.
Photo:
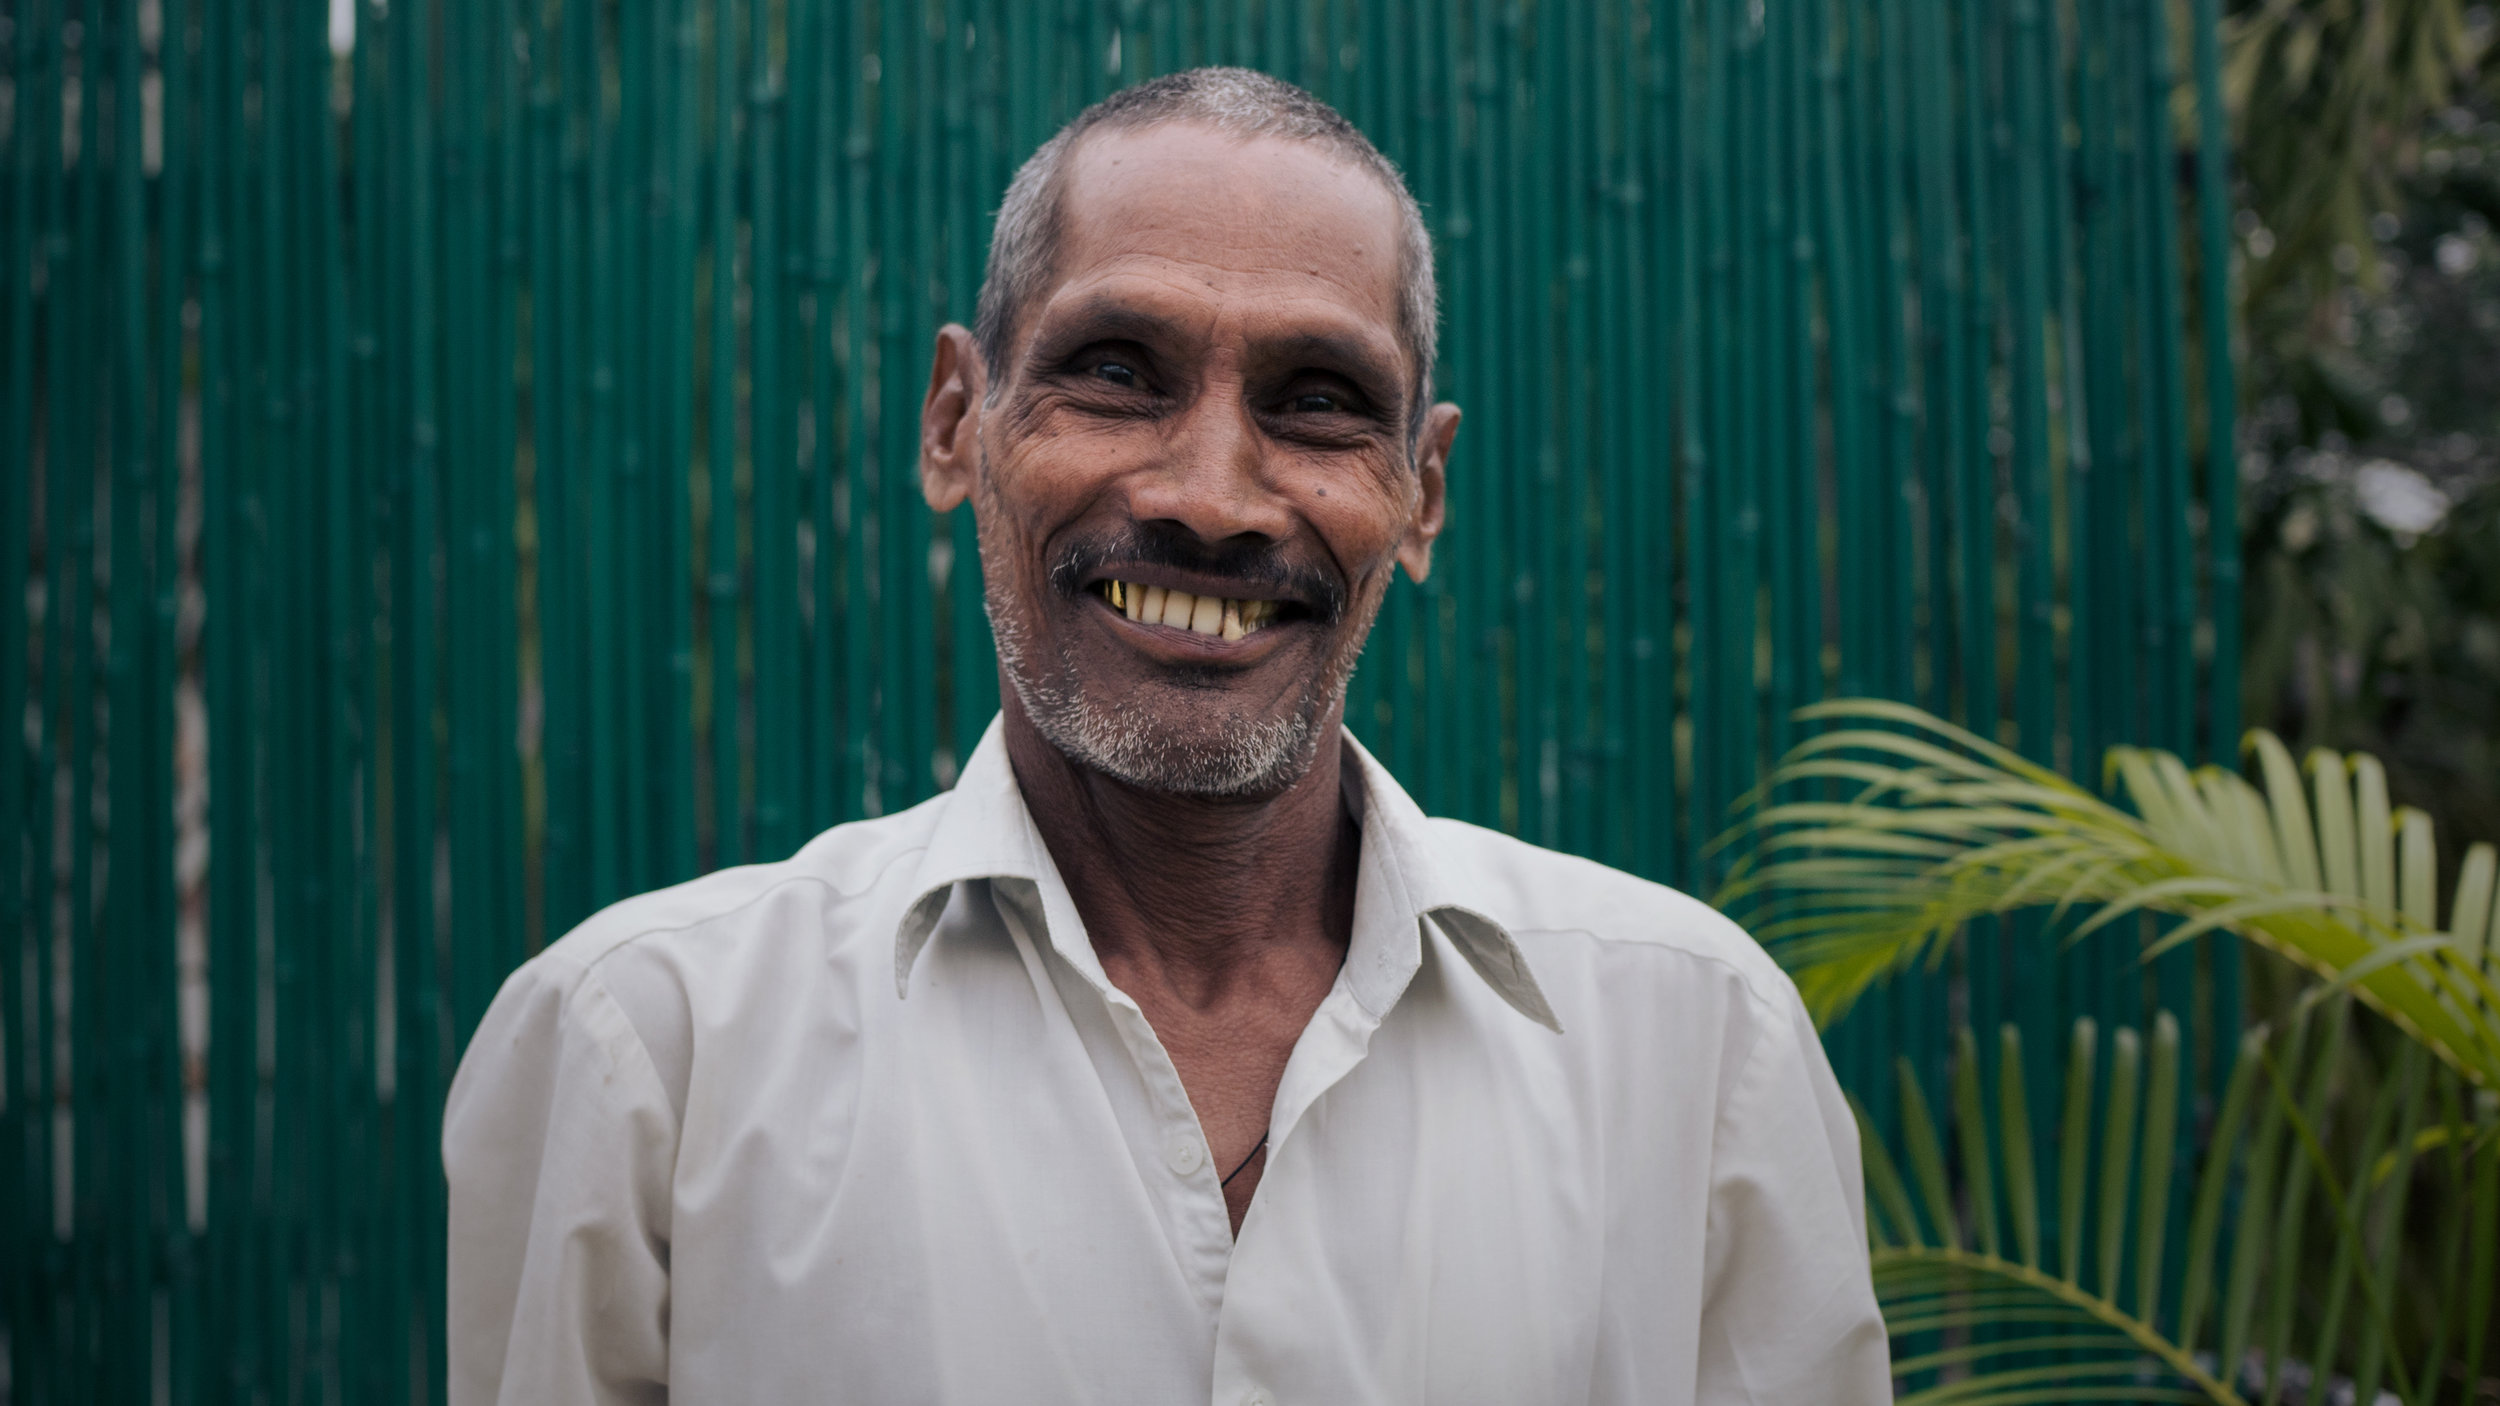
(1214, 359)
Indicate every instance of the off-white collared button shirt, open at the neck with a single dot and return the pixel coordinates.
(874, 1127)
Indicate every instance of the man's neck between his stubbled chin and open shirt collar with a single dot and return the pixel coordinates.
(1196, 894)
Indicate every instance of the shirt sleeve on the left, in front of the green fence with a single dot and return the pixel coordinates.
(559, 1145)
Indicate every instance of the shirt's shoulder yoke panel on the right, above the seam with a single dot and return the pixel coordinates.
(1544, 894)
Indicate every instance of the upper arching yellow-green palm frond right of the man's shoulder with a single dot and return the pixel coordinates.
(1944, 827)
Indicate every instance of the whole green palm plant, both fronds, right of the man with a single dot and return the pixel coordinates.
(2344, 1220)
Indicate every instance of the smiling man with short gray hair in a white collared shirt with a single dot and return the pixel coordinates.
(1174, 1054)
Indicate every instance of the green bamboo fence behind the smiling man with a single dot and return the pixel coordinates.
(459, 472)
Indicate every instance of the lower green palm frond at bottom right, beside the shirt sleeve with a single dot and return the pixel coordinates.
(2021, 1290)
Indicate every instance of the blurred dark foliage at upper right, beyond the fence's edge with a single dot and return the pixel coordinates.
(2369, 181)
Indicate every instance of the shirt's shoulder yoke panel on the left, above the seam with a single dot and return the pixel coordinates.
(844, 862)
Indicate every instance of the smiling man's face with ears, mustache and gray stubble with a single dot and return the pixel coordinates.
(1196, 477)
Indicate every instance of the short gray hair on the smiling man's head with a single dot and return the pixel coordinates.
(1241, 104)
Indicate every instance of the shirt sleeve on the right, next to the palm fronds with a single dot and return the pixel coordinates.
(1789, 1307)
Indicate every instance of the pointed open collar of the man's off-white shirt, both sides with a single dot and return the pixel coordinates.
(986, 832)
